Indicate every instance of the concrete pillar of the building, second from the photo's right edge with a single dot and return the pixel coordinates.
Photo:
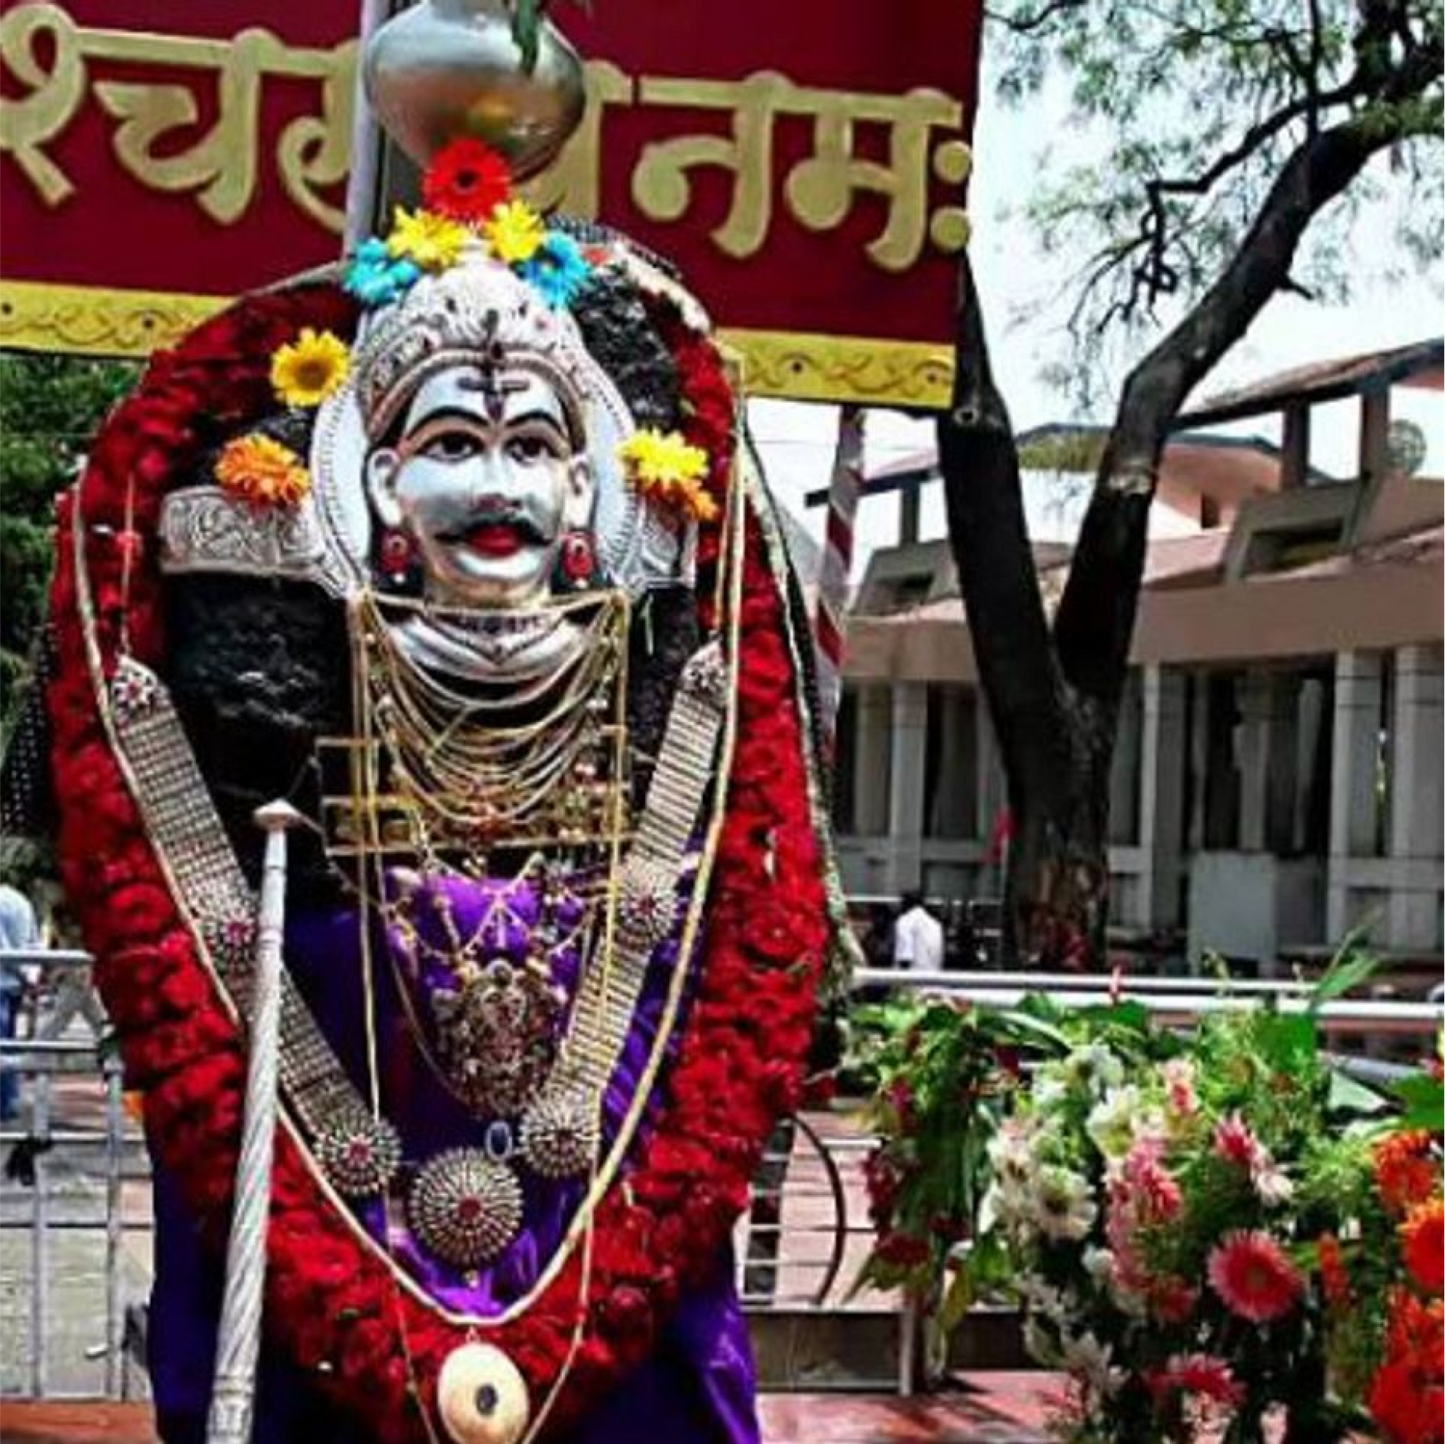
(1356, 752)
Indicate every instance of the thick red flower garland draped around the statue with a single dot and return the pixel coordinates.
(741, 1065)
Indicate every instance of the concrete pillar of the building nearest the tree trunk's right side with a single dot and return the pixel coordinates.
(1161, 800)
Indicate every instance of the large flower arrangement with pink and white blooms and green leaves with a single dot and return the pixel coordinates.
(1193, 1226)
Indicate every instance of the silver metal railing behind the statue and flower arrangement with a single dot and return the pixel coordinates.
(798, 1250)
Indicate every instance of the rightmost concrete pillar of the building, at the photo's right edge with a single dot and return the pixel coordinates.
(1417, 797)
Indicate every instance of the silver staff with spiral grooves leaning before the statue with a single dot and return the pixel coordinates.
(233, 1400)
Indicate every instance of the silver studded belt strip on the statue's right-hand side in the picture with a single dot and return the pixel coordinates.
(564, 1121)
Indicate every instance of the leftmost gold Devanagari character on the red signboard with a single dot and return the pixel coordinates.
(56, 93)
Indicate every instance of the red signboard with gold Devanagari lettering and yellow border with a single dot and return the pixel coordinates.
(803, 163)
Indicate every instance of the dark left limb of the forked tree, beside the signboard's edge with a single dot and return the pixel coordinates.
(995, 557)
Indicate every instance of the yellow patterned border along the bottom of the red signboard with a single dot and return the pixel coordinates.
(800, 366)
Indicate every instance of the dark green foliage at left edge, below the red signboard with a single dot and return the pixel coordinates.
(50, 410)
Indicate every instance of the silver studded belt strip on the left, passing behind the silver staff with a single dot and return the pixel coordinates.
(359, 1153)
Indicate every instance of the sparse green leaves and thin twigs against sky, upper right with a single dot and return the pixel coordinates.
(1186, 115)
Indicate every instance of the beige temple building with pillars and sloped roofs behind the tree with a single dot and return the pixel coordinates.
(1281, 767)
